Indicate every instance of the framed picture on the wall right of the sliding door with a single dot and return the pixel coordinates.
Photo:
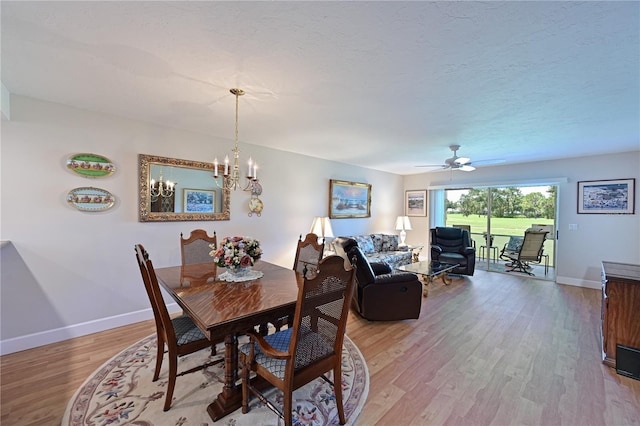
(606, 196)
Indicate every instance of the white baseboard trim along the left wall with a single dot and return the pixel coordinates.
(30, 341)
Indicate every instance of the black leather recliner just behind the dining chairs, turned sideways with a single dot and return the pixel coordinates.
(382, 295)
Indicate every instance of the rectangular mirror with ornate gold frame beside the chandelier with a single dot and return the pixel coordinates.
(171, 190)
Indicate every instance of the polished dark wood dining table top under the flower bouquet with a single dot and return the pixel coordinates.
(230, 307)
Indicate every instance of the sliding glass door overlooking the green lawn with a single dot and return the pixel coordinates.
(496, 215)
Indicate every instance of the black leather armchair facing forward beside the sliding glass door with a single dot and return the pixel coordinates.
(452, 245)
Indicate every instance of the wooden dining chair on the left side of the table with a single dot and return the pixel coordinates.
(180, 335)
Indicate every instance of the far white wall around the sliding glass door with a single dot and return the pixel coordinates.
(598, 237)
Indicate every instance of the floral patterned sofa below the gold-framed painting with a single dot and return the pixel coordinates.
(377, 248)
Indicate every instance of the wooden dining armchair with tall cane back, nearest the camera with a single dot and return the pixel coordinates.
(309, 349)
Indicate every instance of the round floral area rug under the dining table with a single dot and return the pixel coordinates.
(121, 393)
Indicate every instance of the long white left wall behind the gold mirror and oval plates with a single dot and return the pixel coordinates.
(68, 273)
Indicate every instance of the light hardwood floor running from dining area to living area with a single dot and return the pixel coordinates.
(493, 349)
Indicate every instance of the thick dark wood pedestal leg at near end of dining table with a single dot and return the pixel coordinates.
(230, 399)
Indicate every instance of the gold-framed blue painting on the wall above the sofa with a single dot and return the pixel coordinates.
(349, 199)
